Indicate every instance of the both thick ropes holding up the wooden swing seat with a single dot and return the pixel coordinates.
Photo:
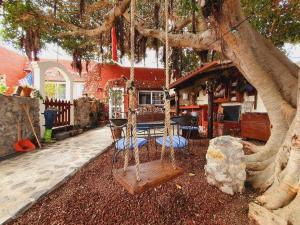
(132, 99)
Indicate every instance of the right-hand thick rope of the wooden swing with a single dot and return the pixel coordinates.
(167, 130)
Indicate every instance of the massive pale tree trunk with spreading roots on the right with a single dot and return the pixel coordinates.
(275, 166)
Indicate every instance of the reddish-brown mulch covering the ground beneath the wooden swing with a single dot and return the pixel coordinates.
(92, 196)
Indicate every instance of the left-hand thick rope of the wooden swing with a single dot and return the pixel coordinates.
(132, 113)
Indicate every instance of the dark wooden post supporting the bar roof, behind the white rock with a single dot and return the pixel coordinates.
(210, 113)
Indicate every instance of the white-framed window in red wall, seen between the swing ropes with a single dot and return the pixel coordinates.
(151, 97)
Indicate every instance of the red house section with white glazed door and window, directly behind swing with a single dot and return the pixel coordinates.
(107, 82)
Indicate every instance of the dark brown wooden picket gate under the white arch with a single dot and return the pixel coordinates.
(64, 111)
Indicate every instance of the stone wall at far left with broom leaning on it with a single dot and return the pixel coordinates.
(12, 113)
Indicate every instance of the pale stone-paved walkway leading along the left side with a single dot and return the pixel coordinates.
(27, 177)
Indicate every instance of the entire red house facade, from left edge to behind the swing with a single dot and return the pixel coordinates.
(103, 81)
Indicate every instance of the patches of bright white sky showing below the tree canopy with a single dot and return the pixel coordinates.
(51, 51)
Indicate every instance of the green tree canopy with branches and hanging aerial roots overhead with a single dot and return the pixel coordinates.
(82, 27)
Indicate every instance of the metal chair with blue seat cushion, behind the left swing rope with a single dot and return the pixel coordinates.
(120, 142)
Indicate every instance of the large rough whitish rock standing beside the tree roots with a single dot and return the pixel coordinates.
(226, 166)
